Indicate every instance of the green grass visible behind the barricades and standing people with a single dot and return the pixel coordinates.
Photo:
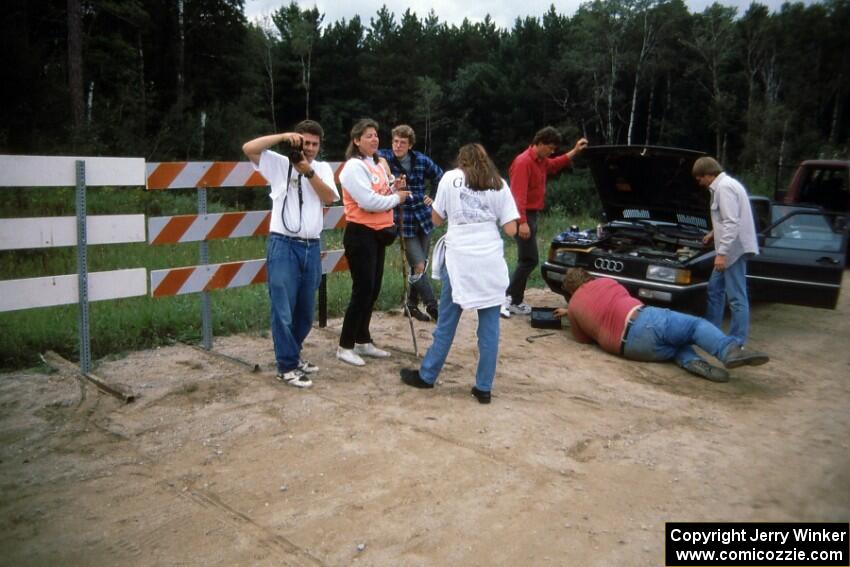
(144, 322)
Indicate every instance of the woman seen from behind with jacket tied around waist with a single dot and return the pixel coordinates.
(470, 260)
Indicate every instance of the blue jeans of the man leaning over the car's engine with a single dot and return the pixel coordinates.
(730, 284)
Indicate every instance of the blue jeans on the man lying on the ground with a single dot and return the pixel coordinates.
(661, 334)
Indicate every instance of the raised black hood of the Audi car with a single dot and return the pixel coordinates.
(647, 182)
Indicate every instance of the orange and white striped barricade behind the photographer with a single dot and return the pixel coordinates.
(204, 227)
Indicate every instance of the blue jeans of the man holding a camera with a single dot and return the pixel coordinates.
(294, 273)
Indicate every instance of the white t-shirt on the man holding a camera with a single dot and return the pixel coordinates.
(308, 222)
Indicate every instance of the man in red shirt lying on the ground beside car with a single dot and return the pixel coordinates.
(602, 311)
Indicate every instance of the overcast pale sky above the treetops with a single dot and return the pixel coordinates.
(503, 12)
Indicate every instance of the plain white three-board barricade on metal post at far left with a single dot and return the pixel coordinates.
(80, 231)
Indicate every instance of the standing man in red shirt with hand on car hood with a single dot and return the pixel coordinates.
(528, 184)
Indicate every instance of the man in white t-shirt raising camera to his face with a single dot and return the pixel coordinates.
(300, 185)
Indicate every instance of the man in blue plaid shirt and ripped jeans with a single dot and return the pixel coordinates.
(416, 225)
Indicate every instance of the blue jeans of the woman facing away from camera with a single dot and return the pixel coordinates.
(444, 334)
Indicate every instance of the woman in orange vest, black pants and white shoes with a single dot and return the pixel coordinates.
(369, 199)
